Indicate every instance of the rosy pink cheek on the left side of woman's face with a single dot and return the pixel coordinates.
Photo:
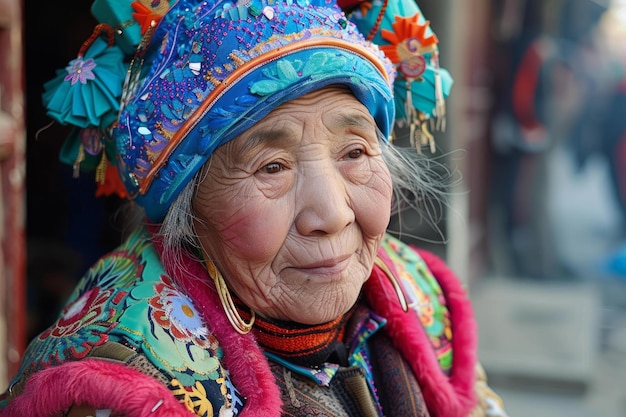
(256, 235)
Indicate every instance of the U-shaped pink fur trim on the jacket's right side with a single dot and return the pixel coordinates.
(445, 396)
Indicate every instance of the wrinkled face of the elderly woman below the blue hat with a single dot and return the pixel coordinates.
(293, 210)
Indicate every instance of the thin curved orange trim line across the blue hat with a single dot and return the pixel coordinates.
(231, 79)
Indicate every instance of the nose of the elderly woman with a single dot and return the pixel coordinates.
(324, 204)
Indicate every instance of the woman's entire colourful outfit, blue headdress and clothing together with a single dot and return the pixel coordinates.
(145, 336)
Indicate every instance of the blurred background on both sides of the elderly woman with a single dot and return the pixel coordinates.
(536, 226)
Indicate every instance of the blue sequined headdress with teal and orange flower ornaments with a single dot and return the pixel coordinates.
(197, 74)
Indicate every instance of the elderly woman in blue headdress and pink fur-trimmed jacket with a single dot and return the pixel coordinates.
(263, 283)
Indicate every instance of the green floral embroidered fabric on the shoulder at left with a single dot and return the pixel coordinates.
(127, 299)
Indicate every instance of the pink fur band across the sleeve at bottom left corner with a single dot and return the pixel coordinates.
(98, 383)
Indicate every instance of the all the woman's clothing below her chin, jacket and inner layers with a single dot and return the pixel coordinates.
(140, 340)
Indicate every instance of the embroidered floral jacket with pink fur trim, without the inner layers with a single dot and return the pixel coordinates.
(141, 341)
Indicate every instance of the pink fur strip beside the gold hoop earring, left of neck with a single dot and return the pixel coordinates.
(243, 358)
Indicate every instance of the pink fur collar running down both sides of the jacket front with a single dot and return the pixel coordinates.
(445, 396)
